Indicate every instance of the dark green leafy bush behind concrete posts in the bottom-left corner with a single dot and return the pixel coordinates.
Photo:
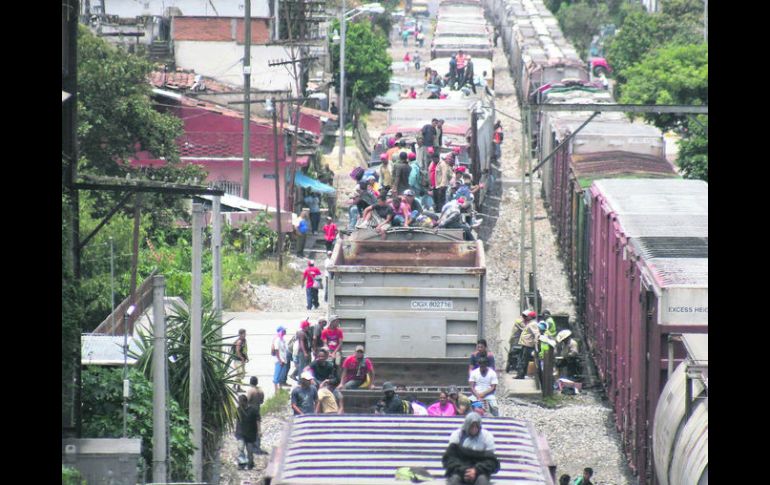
(102, 411)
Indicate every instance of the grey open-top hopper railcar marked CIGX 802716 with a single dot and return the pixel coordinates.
(415, 301)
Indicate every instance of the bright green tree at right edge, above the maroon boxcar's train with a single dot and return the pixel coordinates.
(673, 74)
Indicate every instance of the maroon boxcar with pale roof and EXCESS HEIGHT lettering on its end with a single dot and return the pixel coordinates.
(647, 279)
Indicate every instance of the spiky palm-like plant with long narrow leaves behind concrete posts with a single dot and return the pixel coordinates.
(218, 376)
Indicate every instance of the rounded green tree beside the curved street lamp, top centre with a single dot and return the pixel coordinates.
(367, 62)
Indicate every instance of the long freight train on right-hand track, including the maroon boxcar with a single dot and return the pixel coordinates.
(632, 234)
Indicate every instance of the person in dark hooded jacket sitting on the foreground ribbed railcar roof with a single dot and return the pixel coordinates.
(470, 457)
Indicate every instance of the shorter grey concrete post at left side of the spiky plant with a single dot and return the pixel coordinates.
(159, 380)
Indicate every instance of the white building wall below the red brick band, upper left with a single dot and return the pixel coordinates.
(221, 61)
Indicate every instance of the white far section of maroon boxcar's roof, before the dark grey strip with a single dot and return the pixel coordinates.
(654, 196)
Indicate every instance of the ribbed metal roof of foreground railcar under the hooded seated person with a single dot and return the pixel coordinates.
(368, 449)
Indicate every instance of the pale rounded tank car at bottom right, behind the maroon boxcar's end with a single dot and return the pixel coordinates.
(680, 432)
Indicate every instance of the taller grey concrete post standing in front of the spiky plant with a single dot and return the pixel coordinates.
(195, 345)
